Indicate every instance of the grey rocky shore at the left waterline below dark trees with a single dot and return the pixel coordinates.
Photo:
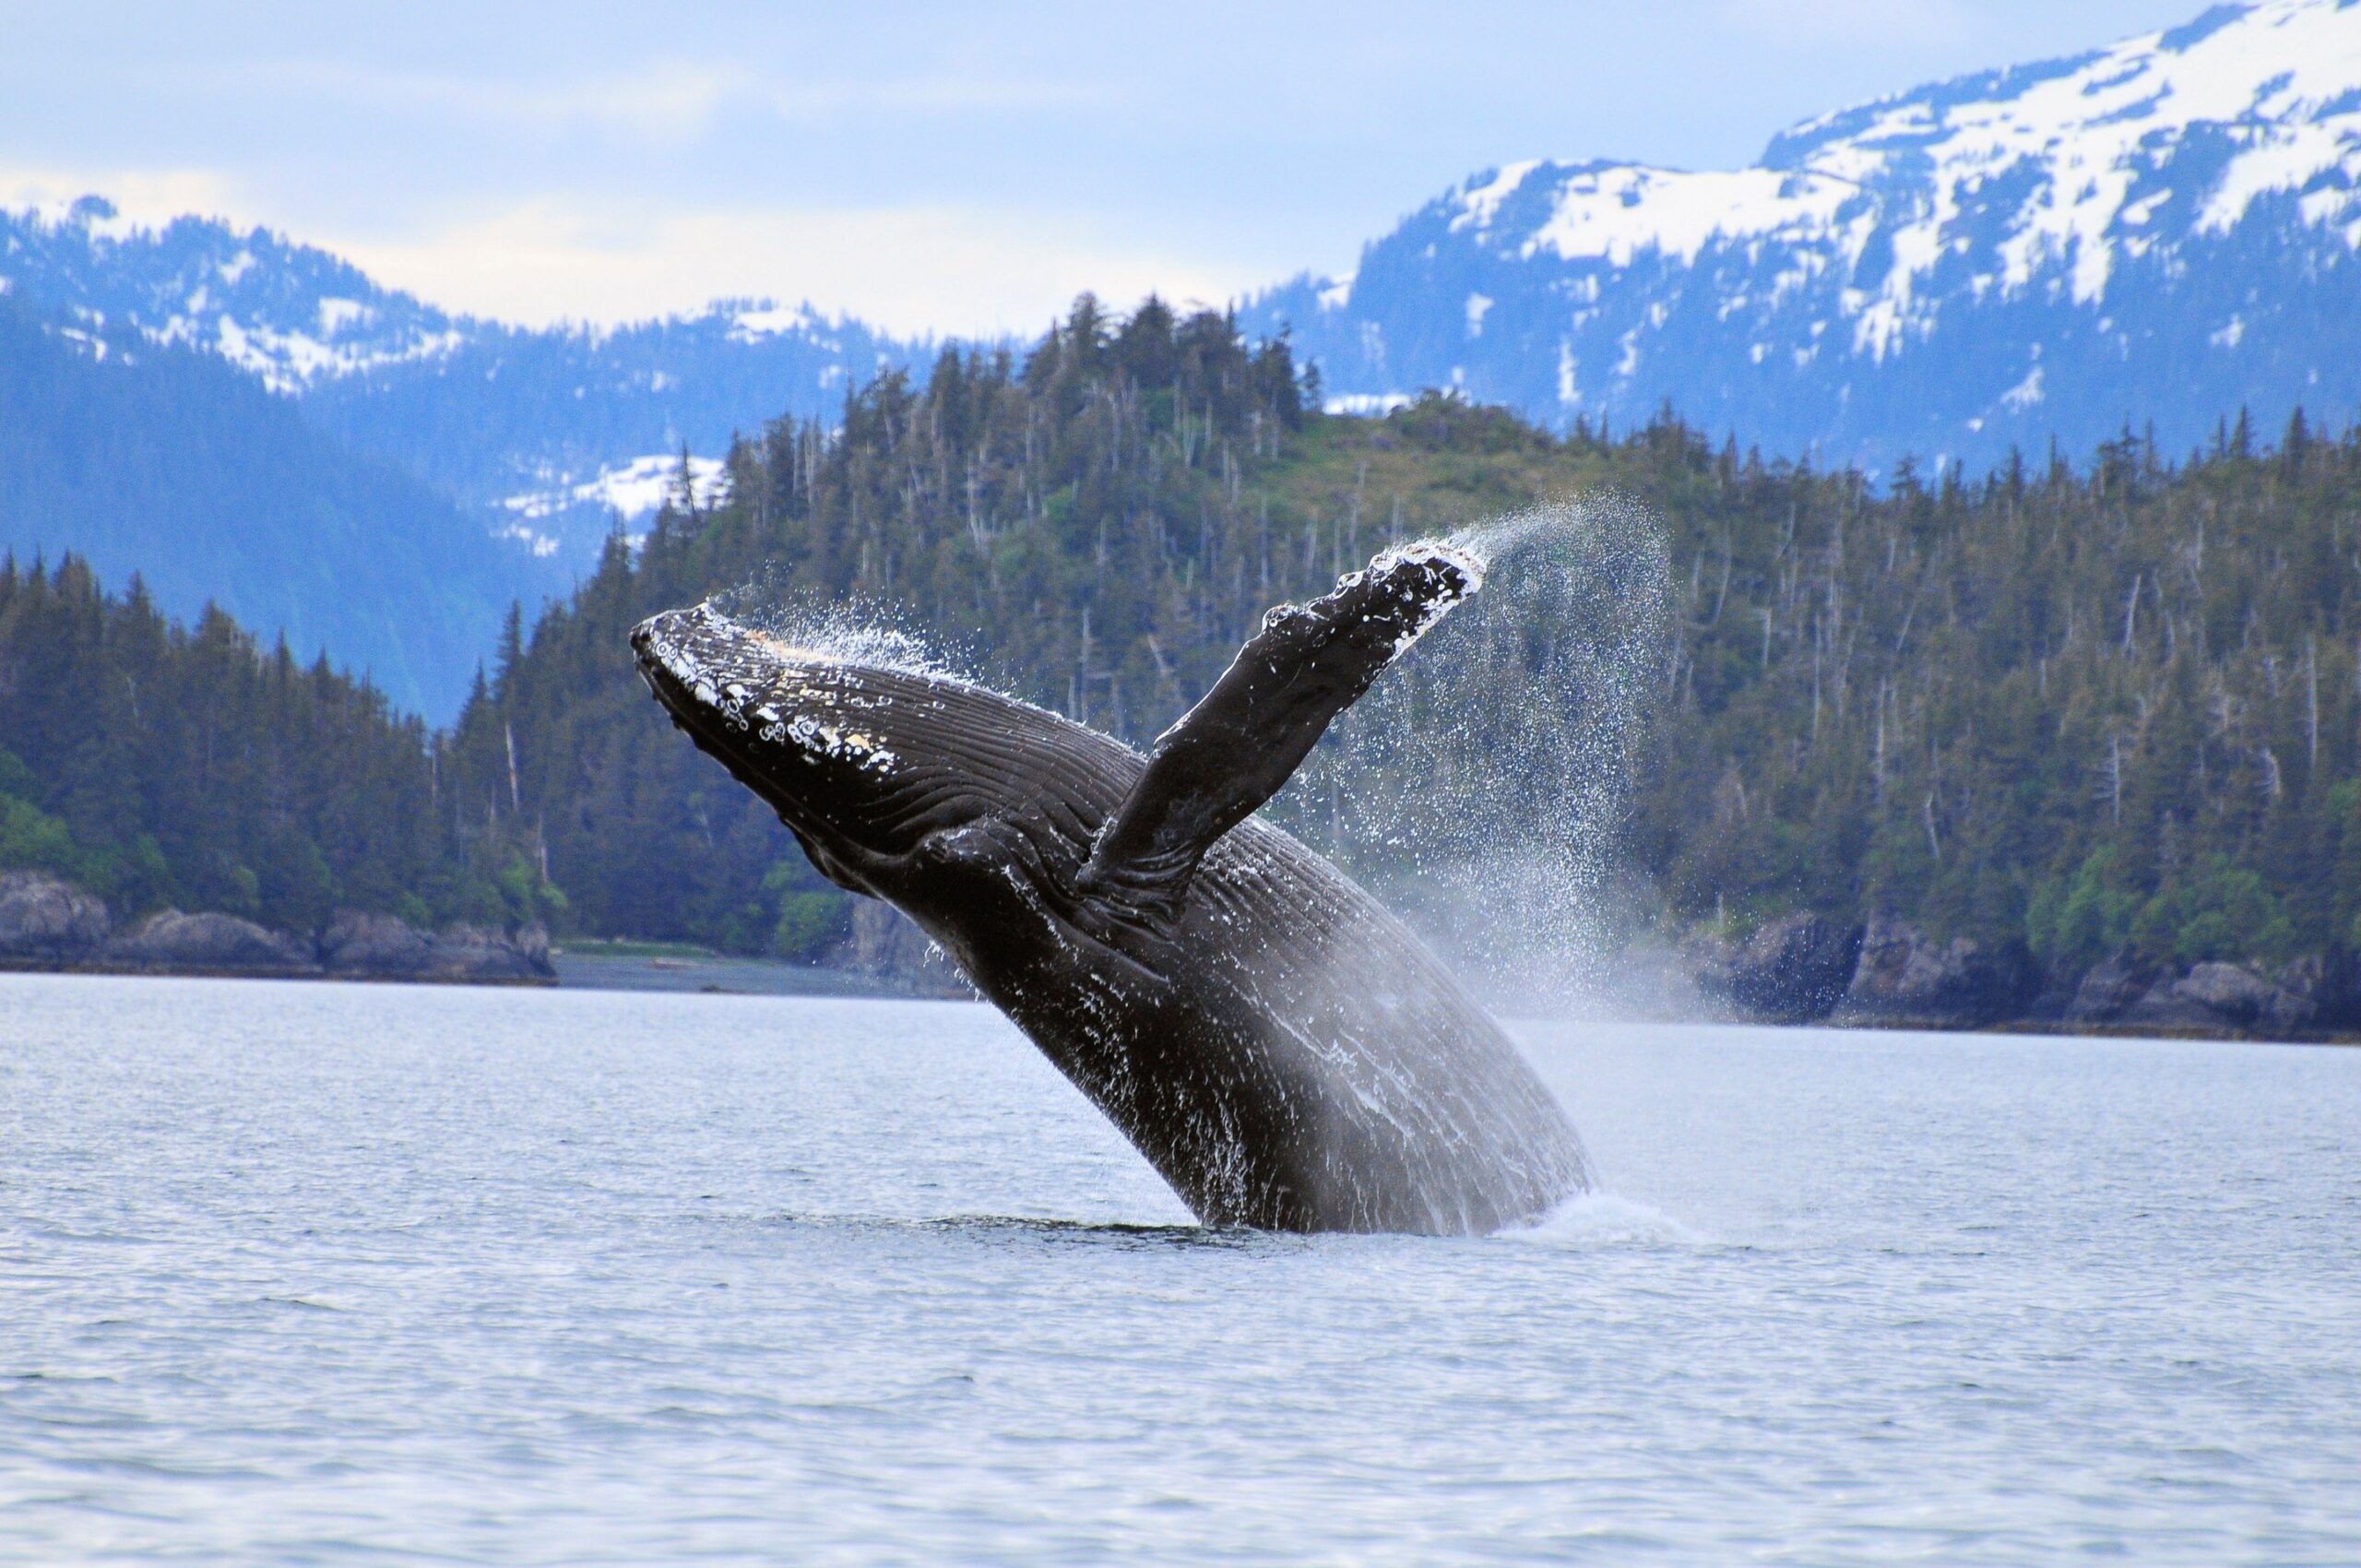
(58, 927)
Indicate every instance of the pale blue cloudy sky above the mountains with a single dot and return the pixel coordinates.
(955, 169)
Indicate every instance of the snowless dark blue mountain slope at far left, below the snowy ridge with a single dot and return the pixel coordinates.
(169, 464)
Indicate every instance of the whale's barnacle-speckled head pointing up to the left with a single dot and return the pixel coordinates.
(870, 762)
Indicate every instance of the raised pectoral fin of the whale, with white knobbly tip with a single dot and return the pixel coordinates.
(1262, 719)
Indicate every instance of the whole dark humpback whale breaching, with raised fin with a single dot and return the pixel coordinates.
(1278, 1047)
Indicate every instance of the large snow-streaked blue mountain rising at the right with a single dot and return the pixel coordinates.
(2166, 230)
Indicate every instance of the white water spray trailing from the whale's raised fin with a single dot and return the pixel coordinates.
(1482, 785)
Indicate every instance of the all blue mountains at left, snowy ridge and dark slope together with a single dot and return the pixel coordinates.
(256, 424)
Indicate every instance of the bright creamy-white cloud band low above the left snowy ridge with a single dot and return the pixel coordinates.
(910, 270)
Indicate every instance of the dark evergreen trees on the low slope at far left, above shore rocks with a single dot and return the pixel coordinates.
(159, 764)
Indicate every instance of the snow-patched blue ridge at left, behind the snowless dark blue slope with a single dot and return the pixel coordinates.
(544, 433)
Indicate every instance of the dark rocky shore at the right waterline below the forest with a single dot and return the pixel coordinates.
(1892, 974)
